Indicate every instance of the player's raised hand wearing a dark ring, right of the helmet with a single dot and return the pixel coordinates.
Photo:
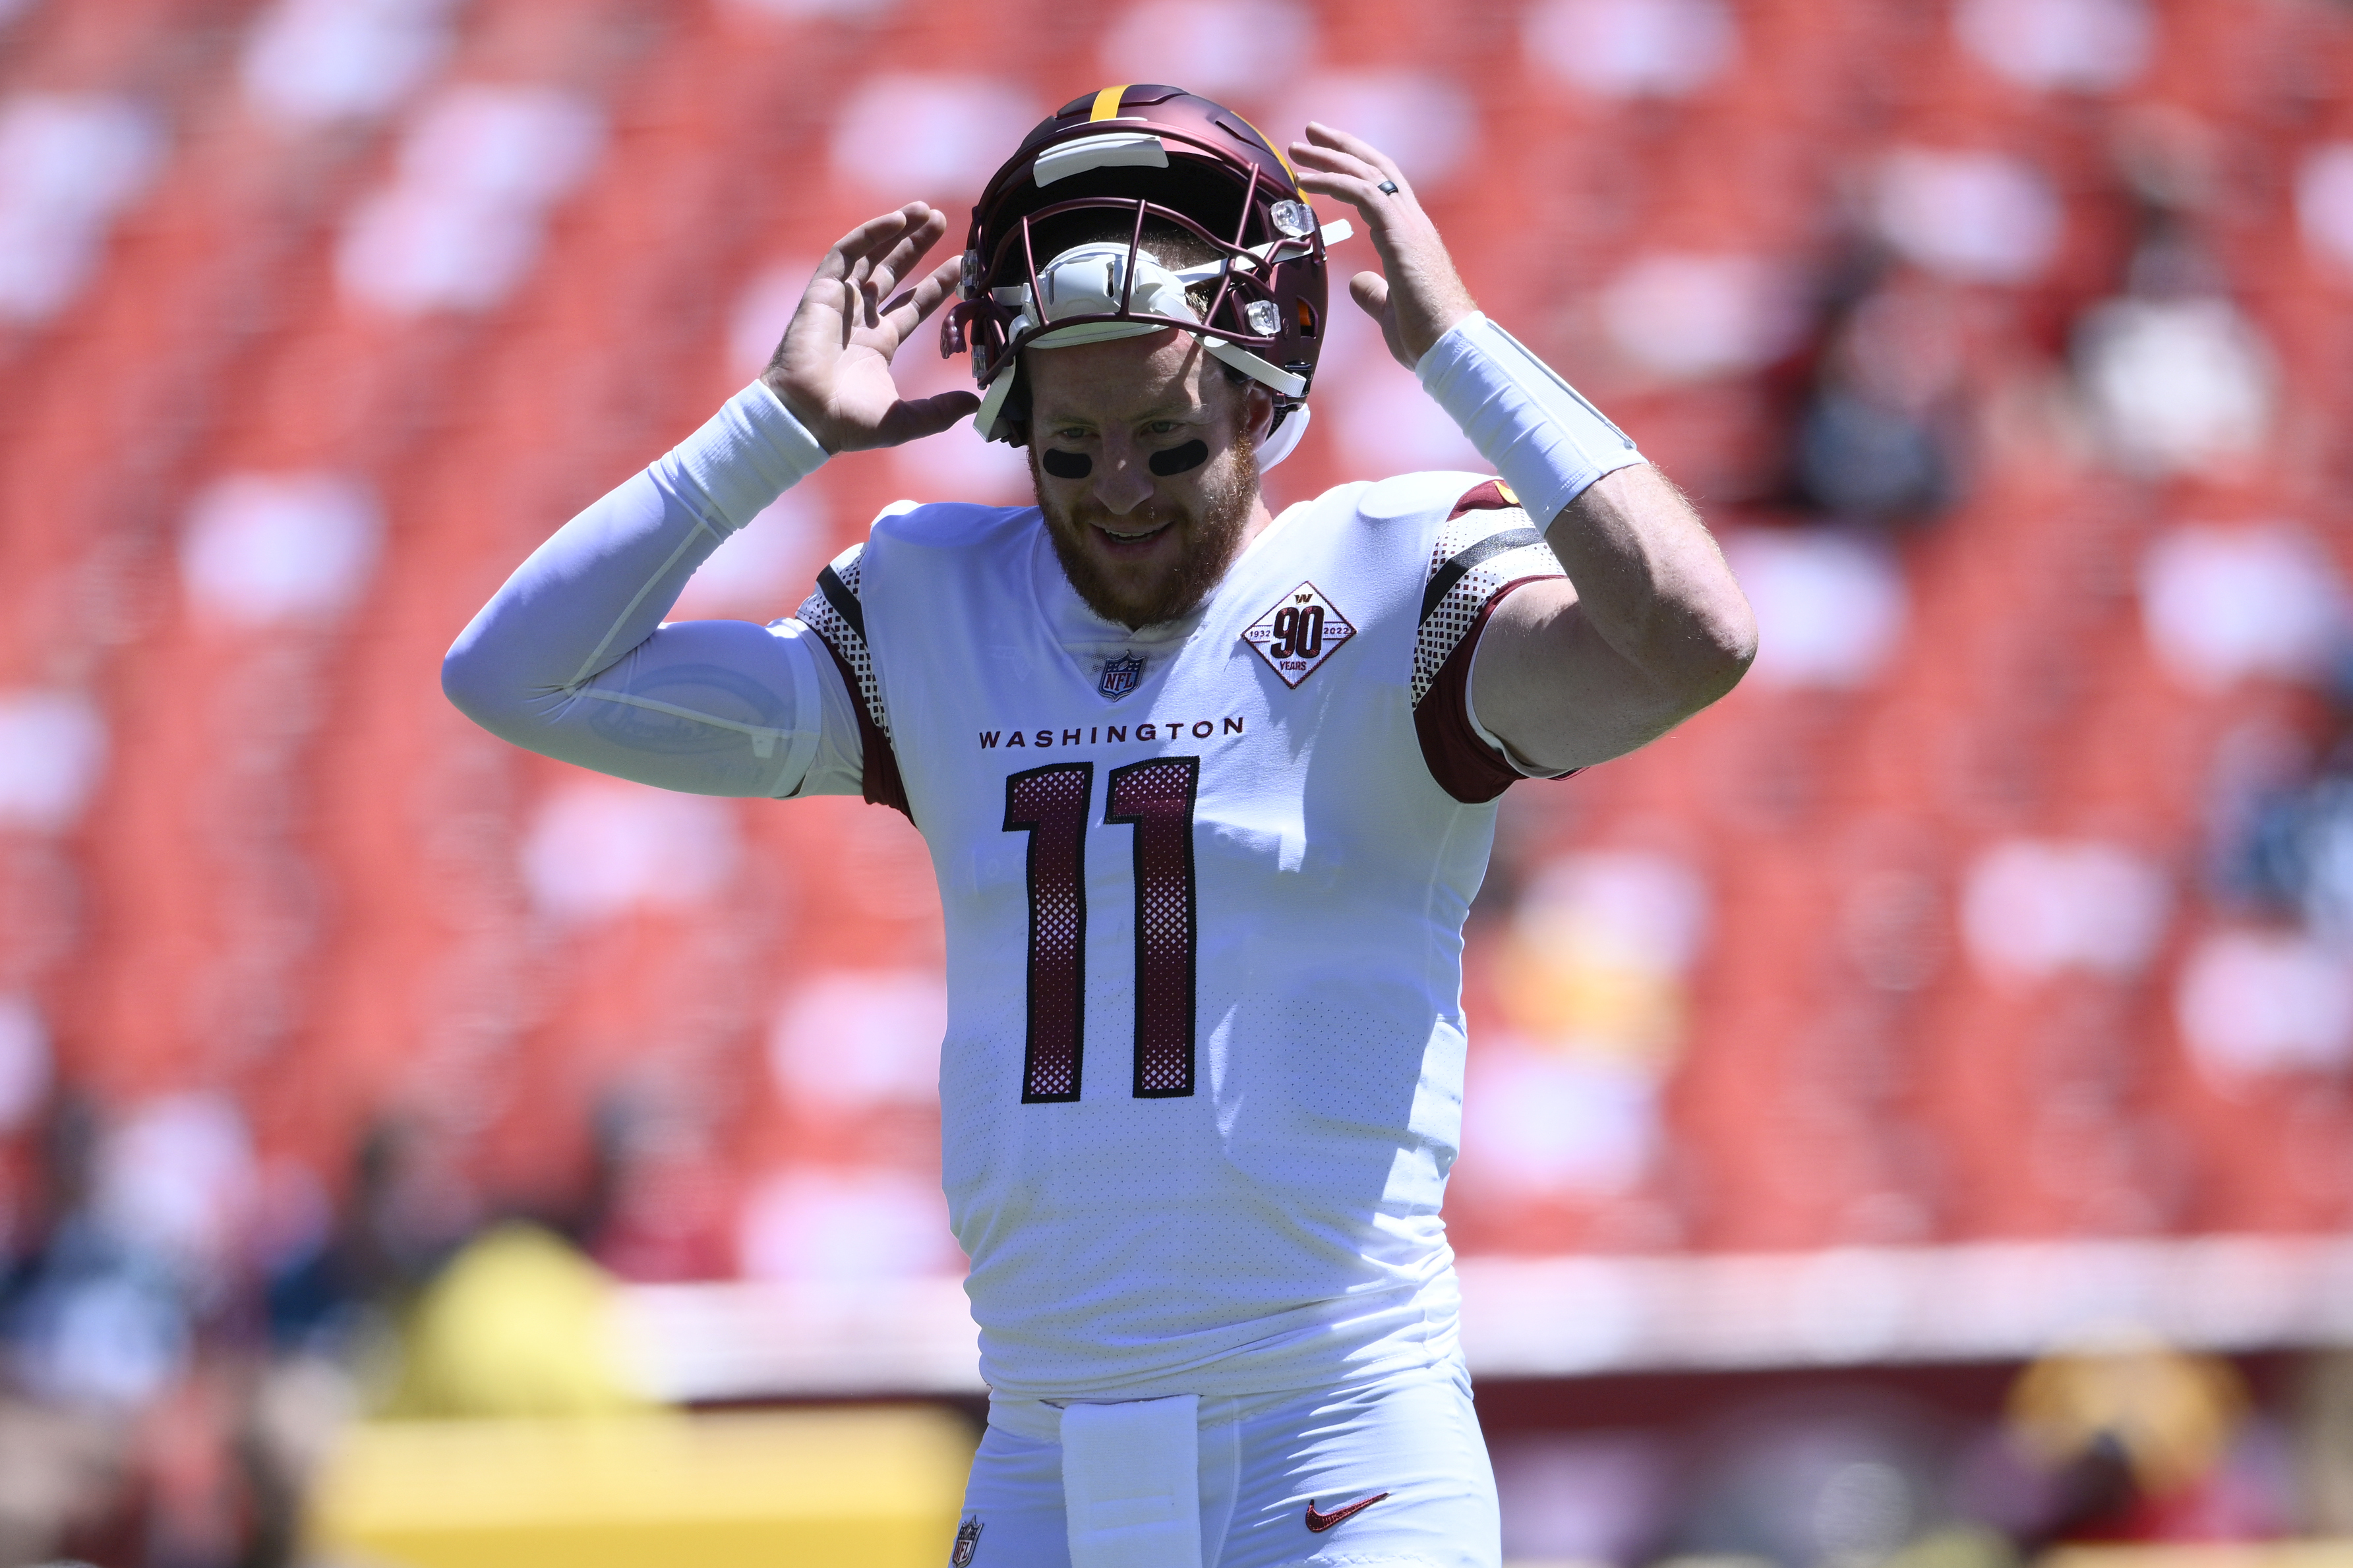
(1422, 295)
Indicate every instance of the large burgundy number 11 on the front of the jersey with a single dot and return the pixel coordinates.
(1053, 805)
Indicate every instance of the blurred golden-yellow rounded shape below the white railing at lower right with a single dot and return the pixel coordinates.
(2171, 1412)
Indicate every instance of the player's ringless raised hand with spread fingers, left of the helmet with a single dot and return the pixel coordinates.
(832, 370)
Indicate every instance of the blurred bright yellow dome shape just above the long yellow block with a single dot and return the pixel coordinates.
(519, 1325)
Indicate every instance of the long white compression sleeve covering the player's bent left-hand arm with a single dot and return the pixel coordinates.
(571, 657)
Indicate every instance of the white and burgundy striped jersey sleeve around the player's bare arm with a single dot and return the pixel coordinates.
(1486, 549)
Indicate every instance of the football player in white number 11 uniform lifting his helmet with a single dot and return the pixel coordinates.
(1208, 793)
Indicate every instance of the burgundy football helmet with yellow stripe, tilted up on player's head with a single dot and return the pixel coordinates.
(1039, 262)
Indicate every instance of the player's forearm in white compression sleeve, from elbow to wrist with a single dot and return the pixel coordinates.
(606, 579)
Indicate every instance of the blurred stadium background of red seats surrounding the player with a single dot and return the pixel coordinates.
(1909, 1108)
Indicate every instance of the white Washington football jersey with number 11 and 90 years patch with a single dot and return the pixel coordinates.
(1204, 894)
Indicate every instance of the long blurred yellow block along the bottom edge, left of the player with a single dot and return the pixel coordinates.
(848, 1489)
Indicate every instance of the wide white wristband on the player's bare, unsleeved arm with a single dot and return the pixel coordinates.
(1540, 434)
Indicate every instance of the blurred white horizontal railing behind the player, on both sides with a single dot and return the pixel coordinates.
(1547, 1318)
